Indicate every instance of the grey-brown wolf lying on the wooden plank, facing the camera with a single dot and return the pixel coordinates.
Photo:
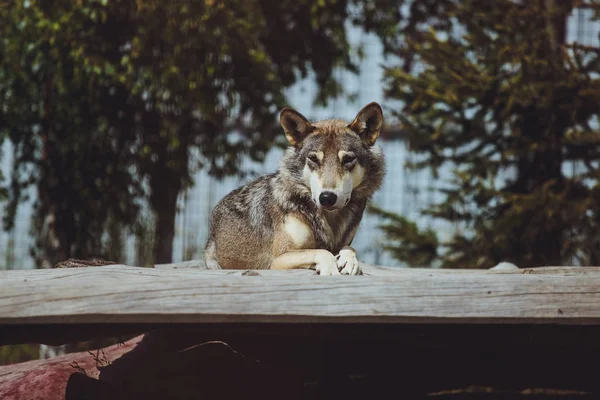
(307, 213)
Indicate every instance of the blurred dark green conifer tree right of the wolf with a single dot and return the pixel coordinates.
(493, 92)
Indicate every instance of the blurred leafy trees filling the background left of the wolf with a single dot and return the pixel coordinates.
(109, 103)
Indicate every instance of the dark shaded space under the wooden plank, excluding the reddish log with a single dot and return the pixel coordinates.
(348, 361)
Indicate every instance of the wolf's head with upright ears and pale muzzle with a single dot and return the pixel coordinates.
(334, 158)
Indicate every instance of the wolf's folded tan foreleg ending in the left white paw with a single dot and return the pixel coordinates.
(323, 261)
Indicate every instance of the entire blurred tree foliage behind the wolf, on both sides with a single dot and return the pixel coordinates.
(112, 106)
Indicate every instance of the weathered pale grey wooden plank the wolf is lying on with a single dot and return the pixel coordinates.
(121, 294)
